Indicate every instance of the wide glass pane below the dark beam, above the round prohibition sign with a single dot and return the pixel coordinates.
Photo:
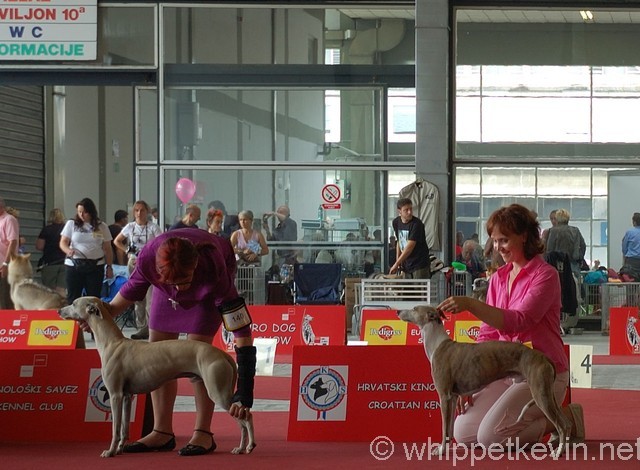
(266, 125)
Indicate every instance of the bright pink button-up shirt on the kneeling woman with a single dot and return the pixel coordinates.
(531, 311)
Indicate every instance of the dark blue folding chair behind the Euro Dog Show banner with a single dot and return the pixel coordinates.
(317, 283)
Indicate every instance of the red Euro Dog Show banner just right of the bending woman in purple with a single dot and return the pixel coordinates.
(292, 325)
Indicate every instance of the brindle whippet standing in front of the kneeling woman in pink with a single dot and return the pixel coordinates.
(461, 369)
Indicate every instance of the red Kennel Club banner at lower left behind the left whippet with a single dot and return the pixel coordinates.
(57, 396)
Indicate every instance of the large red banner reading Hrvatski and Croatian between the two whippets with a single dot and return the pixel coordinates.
(356, 393)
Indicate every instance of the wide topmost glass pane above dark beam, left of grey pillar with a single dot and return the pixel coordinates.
(217, 34)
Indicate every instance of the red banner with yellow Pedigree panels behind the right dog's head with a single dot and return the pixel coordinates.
(382, 327)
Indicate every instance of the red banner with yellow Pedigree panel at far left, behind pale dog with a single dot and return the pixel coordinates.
(36, 329)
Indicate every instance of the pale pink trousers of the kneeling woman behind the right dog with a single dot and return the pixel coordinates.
(492, 418)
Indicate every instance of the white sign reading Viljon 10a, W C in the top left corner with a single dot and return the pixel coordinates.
(52, 30)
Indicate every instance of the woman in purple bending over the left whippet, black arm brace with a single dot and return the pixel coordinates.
(193, 273)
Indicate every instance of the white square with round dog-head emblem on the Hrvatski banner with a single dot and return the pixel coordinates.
(323, 393)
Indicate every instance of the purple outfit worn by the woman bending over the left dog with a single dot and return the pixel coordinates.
(195, 309)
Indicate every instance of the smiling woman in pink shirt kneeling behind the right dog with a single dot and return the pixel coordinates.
(523, 305)
